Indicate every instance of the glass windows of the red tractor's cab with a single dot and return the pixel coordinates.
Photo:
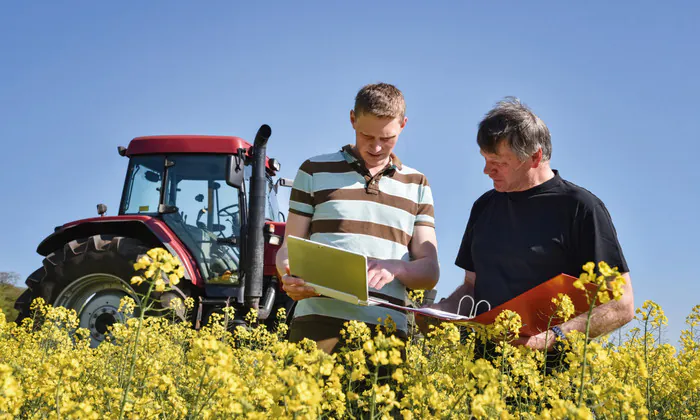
(207, 219)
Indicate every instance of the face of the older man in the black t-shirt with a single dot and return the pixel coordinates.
(508, 173)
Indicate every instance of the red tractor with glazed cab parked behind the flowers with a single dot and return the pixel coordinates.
(211, 201)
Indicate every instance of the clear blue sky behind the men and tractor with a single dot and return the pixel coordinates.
(616, 84)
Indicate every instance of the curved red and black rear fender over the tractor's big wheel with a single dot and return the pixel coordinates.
(152, 231)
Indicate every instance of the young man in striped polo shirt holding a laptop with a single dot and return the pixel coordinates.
(364, 199)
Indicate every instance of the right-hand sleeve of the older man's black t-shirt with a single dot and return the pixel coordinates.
(597, 240)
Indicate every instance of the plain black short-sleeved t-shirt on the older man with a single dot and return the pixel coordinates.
(515, 241)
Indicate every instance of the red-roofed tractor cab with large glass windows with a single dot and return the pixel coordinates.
(188, 182)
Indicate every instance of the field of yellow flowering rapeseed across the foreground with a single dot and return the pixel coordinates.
(155, 367)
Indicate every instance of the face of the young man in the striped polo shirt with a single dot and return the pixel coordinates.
(375, 137)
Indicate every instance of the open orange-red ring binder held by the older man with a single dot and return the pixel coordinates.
(535, 306)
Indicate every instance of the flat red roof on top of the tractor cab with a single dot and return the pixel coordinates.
(172, 144)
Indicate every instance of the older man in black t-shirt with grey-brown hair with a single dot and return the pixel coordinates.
(534, 225)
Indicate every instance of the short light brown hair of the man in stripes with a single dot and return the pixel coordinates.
(381, 100)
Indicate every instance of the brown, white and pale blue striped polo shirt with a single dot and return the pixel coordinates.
(371, 215)
